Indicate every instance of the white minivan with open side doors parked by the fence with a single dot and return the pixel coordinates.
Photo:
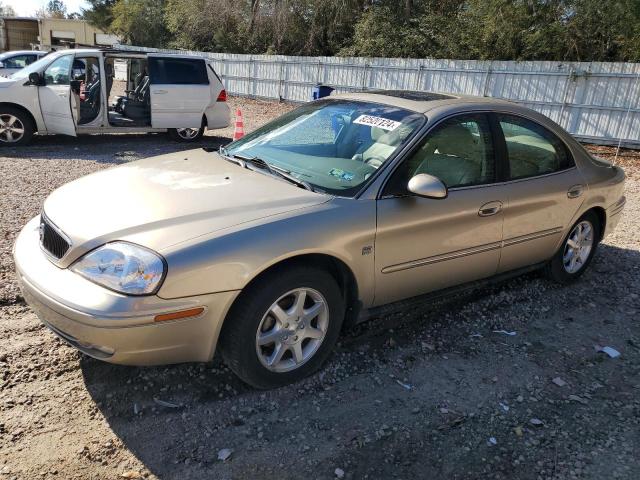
(72, 92)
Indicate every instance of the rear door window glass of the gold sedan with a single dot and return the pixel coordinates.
(532, 149)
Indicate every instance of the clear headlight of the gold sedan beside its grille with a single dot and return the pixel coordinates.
(123, 267)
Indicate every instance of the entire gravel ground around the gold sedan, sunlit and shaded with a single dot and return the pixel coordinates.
(431, 393)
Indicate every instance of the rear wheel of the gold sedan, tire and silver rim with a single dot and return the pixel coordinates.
(565, 266)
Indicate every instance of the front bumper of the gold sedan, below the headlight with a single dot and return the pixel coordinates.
(110, 326)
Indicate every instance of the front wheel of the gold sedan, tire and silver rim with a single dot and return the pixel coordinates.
(251, 333)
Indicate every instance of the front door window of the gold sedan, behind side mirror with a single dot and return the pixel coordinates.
(458, 151)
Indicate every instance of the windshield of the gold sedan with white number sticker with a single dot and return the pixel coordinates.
(333, 145)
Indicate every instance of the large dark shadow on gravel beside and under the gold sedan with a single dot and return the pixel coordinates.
(415, 394)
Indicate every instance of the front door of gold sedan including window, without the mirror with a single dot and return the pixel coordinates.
(425, 244)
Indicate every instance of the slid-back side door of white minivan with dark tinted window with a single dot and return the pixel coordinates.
(180, 91)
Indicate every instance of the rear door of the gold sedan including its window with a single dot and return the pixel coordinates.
(545, 191)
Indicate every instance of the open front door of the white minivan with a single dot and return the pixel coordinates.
(56, 99)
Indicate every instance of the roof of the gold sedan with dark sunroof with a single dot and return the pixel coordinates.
(419, 101)
